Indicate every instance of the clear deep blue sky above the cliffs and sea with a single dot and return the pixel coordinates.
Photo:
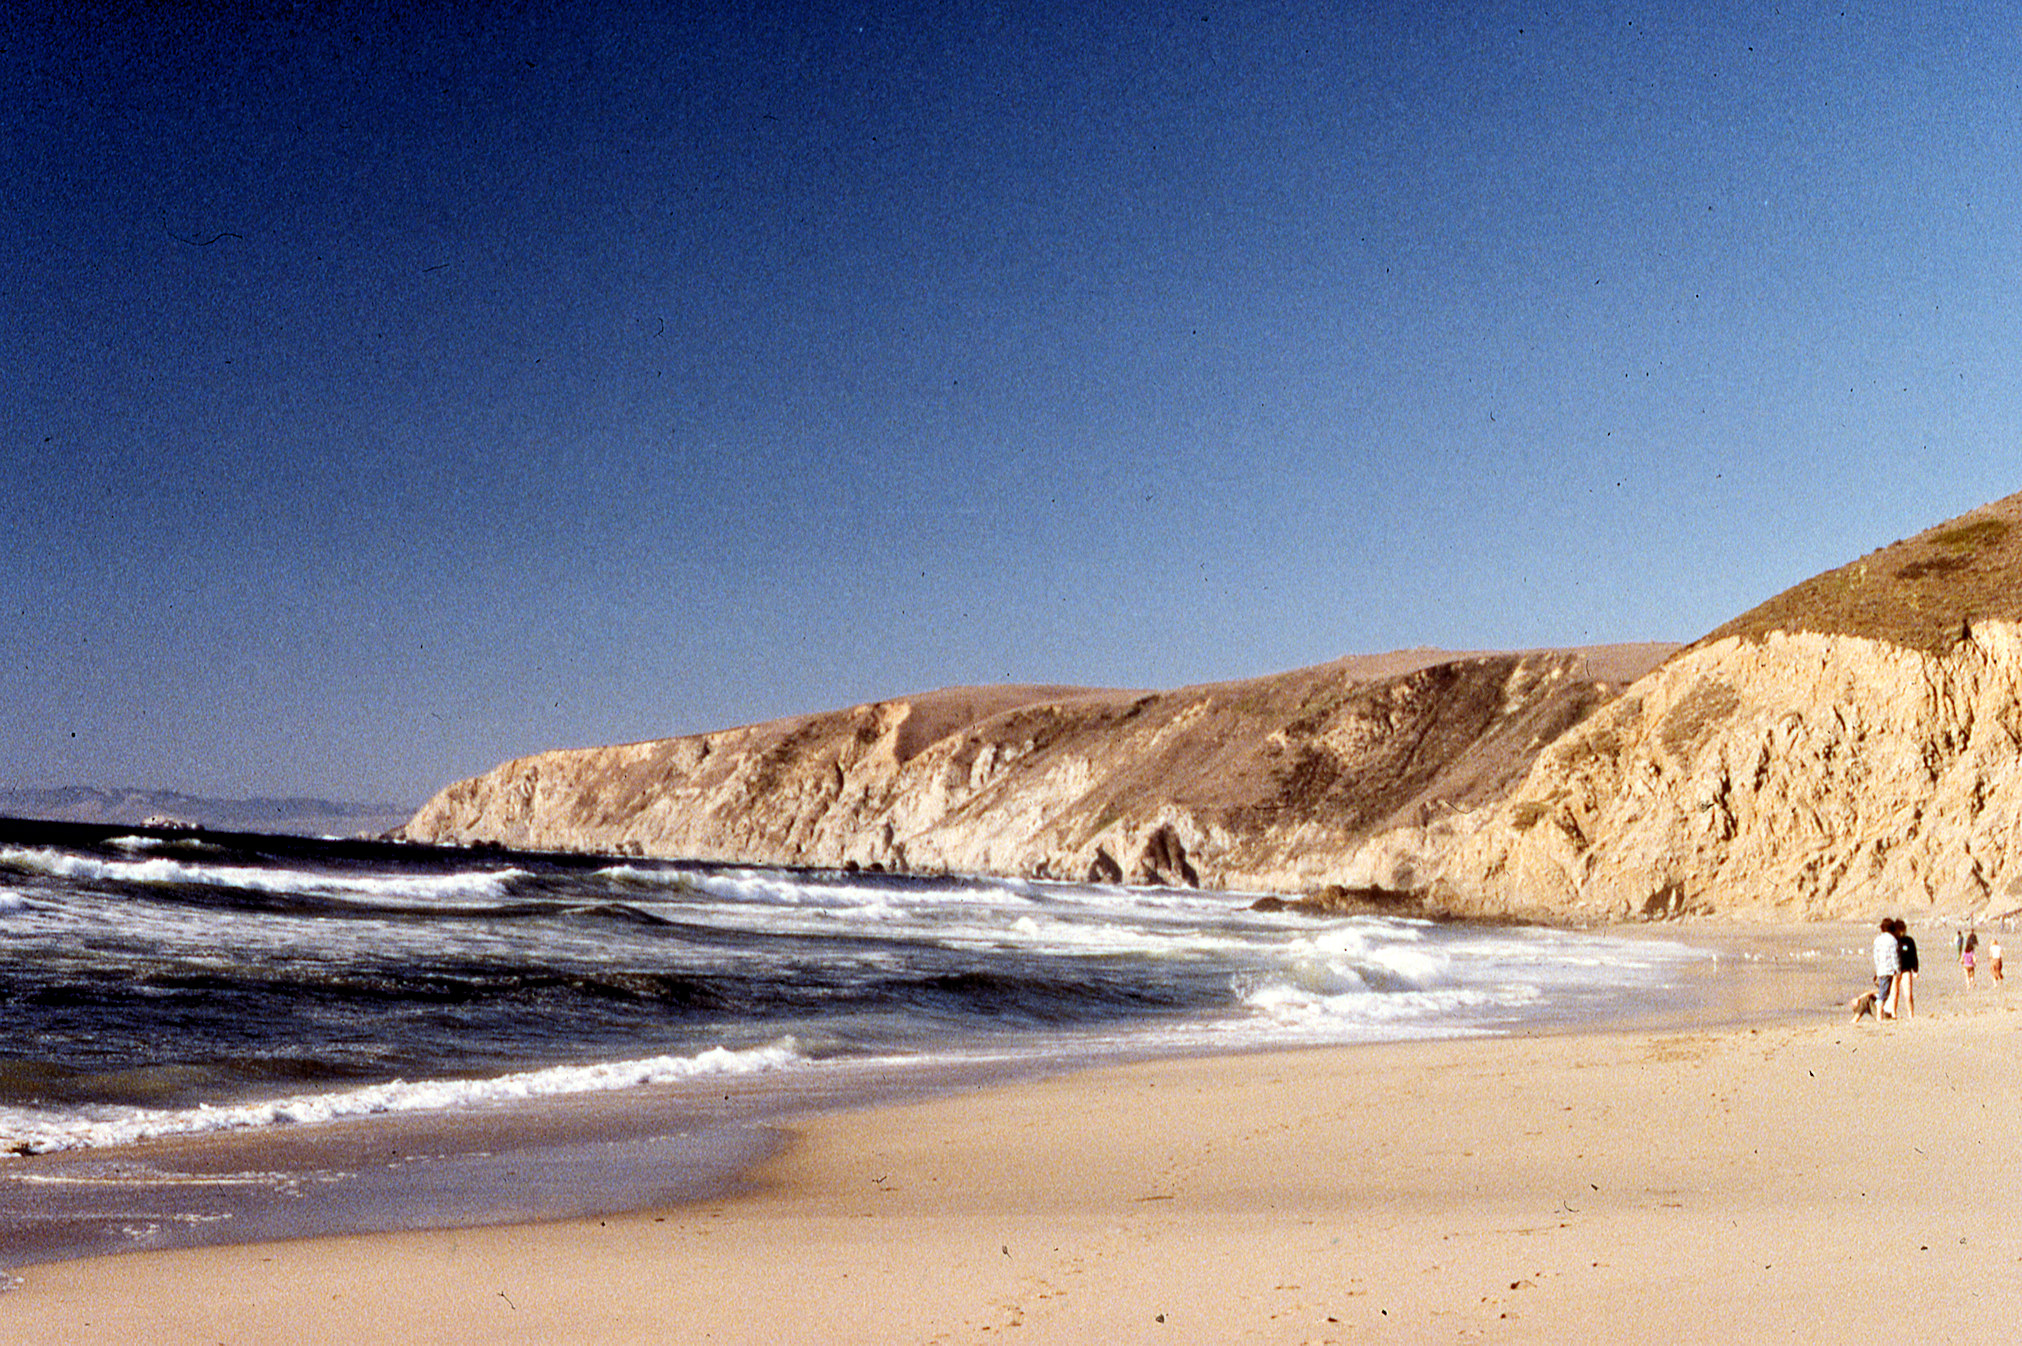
(393, 395)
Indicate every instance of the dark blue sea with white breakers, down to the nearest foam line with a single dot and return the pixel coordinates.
(383, 963)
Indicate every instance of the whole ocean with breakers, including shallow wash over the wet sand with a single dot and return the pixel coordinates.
(167, 987)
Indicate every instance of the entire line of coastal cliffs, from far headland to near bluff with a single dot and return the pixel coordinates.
(1845, 749)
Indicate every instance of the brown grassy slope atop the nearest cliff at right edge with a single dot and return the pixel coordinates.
(1918, 593)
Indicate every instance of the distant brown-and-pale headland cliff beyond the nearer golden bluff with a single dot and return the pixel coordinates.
(1267, 785)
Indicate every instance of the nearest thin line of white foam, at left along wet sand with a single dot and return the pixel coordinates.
(37, 1133)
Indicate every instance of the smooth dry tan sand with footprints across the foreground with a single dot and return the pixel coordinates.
(1805, 1181)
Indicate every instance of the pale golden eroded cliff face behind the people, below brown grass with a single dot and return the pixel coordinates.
(1784, 777)
